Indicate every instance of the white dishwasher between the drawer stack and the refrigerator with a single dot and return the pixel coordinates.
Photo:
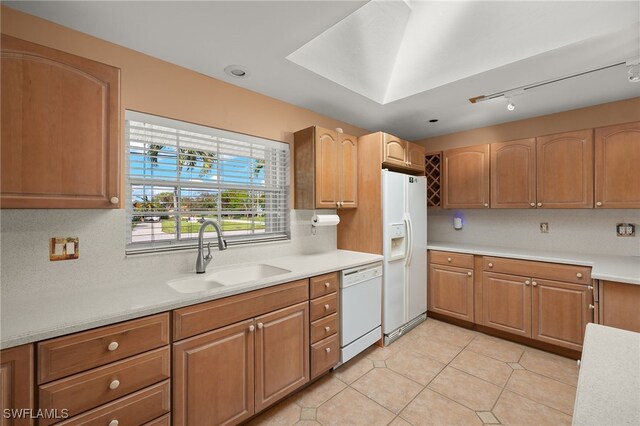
(360, 309)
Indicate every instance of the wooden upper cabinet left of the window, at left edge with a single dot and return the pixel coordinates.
(60, 129)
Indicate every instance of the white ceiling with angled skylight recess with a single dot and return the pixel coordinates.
(385, 65)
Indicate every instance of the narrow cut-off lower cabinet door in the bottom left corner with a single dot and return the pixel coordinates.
(16, 383)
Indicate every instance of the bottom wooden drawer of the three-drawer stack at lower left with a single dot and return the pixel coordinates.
(131, 410)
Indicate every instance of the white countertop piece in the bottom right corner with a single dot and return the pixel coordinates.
(609, 380)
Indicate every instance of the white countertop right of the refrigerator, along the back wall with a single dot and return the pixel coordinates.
(624, 269)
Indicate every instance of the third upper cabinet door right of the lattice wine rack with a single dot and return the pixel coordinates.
(565, 170)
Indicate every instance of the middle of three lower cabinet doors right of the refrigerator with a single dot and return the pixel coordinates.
(506, 303)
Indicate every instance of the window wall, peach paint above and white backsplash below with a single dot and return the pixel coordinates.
(157, 87)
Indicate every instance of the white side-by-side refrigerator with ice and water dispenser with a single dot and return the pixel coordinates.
(404, 221)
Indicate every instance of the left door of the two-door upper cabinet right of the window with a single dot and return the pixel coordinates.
(326, 159)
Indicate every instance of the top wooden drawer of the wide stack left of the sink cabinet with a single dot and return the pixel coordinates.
(63, 356)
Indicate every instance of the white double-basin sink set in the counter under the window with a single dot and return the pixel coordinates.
(226, 277)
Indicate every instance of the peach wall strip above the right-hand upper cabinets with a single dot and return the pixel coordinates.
(624, 111)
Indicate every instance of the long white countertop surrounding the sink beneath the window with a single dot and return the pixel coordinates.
(48, 315)
